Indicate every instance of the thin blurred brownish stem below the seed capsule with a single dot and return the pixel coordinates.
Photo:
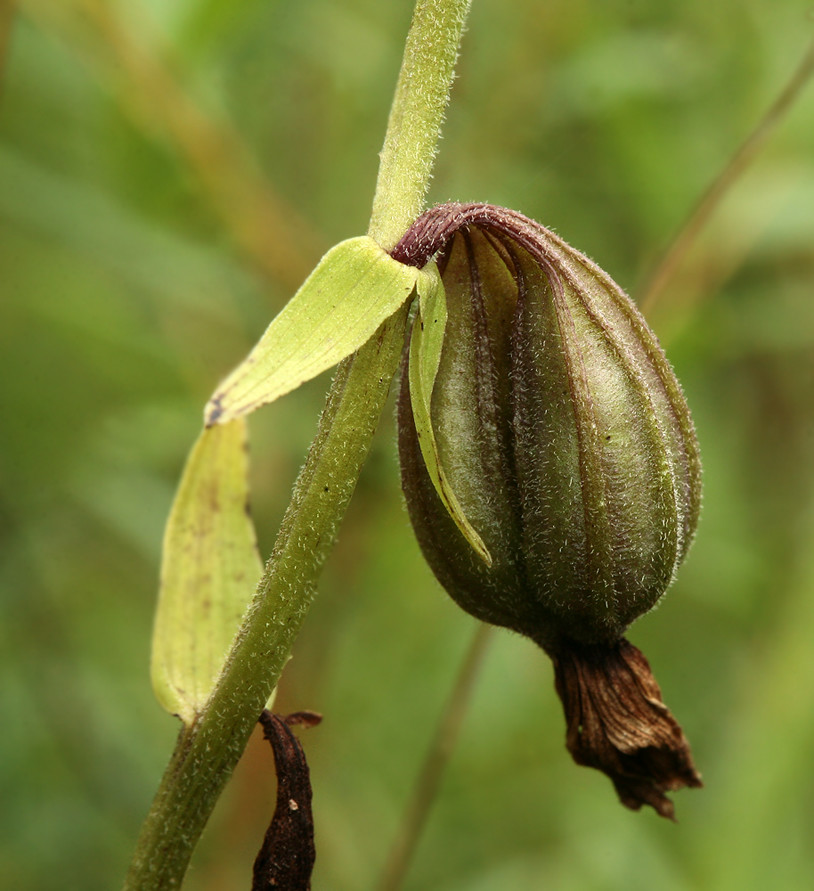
(435, 762)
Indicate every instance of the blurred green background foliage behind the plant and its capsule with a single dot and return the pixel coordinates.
(168, 173)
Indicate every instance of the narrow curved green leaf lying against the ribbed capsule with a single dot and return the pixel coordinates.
(425, 354)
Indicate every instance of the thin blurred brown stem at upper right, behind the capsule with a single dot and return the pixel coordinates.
(726, 179)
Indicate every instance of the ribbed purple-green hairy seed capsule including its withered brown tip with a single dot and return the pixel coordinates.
(563, 432)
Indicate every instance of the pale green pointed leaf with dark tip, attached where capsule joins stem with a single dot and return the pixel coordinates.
(354, 288)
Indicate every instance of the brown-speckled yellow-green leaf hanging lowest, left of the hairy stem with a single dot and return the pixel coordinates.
(210, 568)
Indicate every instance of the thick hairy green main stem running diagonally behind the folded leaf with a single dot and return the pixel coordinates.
(208, 750)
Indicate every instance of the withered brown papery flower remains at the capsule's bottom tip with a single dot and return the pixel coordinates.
(617, 723)
